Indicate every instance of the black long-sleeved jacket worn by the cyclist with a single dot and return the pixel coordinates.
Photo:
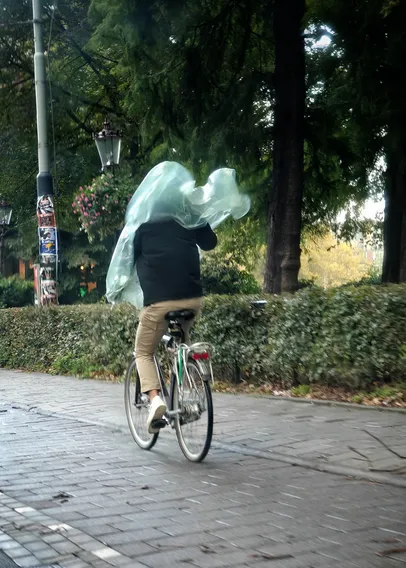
(168, 263)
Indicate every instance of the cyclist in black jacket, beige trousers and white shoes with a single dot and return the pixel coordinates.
(168, 266)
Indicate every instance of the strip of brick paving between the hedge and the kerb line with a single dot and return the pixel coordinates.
(319, 436)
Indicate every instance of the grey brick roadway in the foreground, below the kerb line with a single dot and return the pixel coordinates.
(79, 495)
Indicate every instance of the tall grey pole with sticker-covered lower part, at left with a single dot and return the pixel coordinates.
(47, 231)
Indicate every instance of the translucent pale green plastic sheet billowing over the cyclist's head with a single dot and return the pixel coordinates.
(169, 192)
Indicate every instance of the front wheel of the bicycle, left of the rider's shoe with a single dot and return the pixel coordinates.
(137, 408)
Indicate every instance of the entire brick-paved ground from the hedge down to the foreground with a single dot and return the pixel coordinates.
(75, 491)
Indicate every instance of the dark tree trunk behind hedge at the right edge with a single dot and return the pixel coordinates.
(394, 261)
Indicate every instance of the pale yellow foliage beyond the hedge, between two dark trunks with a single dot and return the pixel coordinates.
(330, 263)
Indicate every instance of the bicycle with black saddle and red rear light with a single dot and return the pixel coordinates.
(189, 399)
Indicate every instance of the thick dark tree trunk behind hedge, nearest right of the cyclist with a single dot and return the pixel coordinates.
(285, 196)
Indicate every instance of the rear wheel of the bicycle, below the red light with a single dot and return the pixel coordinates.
(194, 422)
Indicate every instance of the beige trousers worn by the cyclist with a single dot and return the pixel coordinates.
(151, 328)
